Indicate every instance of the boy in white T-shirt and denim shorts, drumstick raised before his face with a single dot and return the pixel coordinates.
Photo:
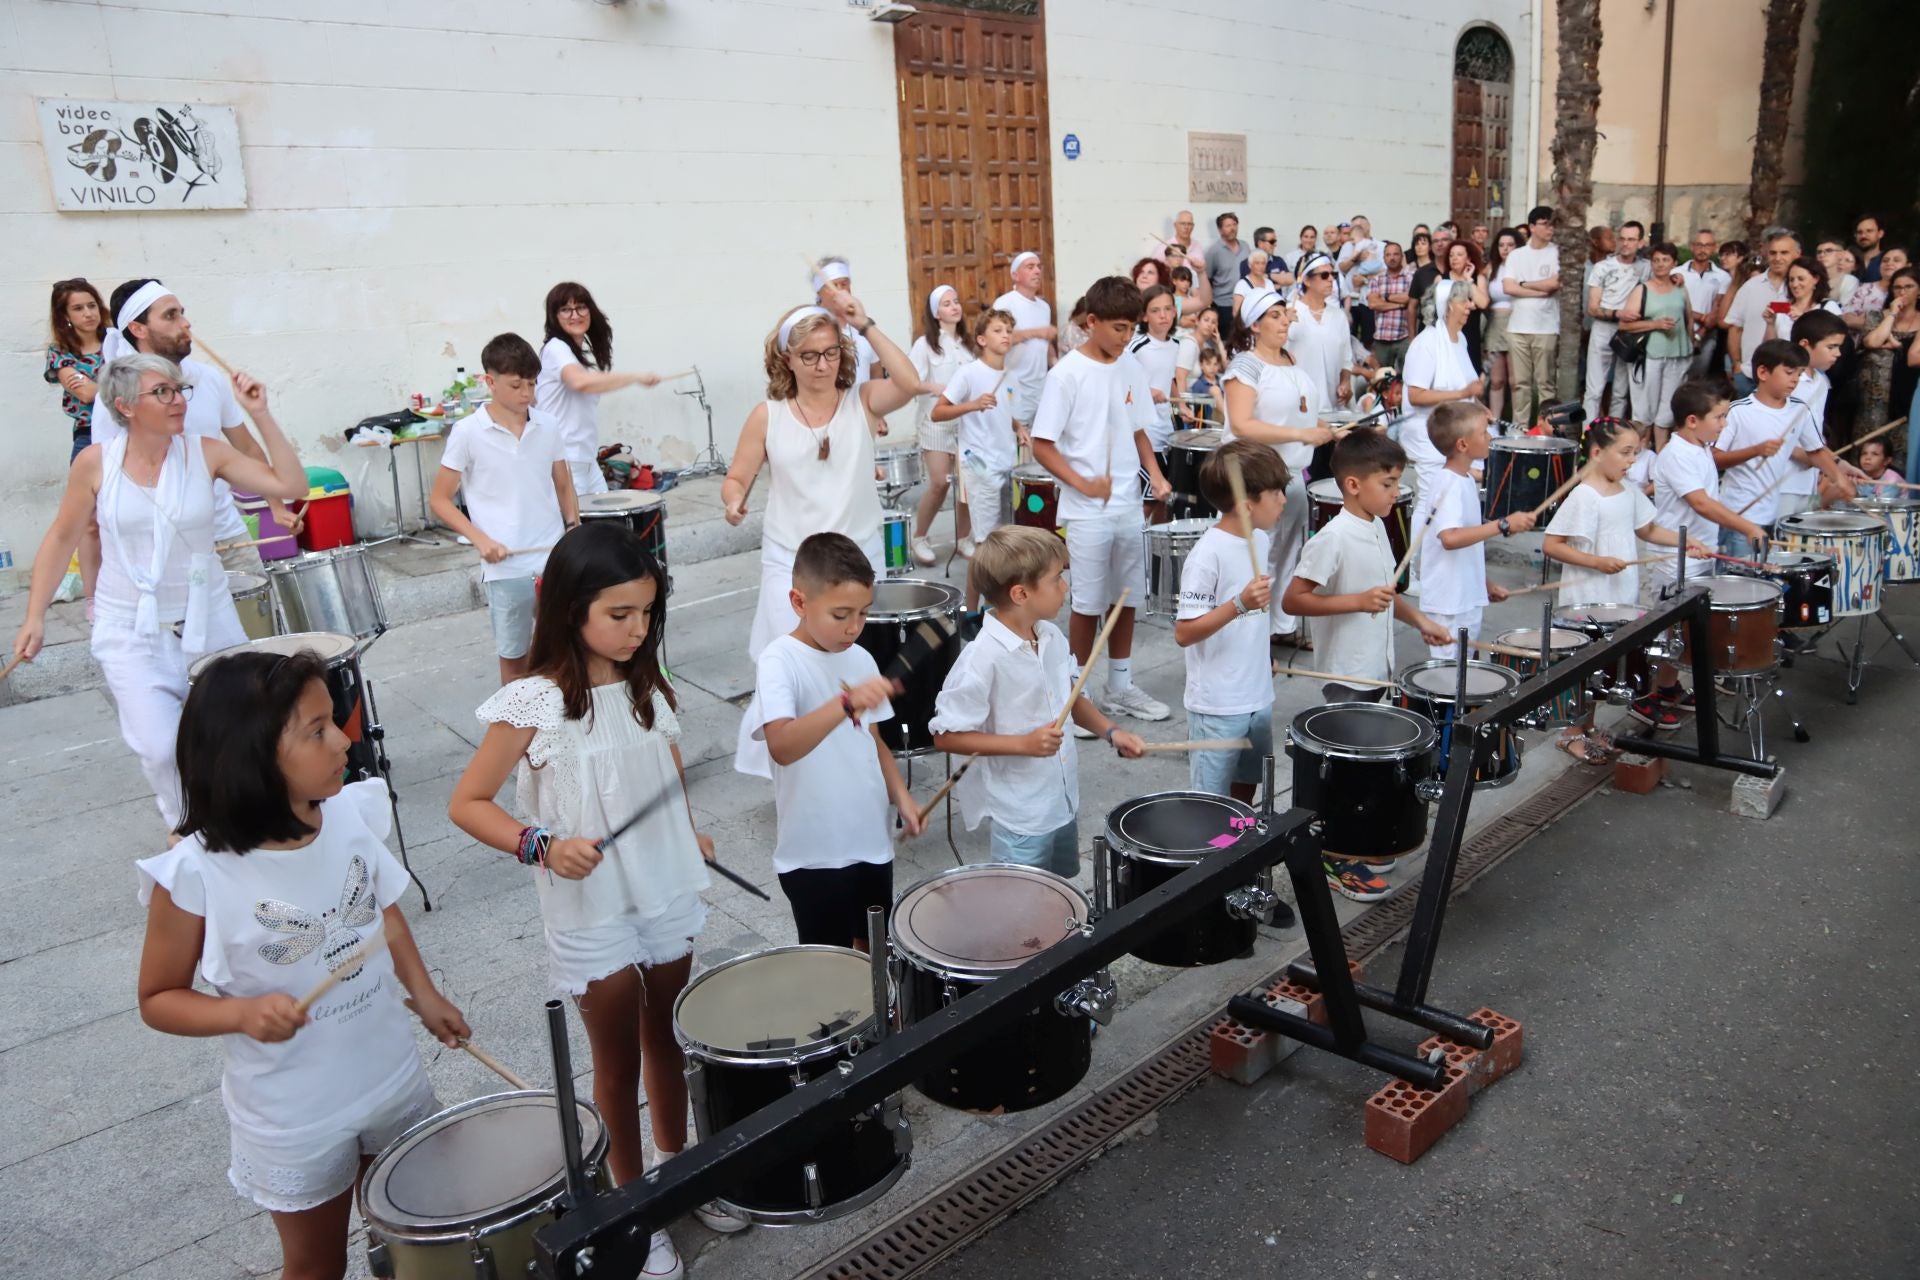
(1220, 625)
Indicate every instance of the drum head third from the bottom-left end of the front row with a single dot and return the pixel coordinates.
(984, 920)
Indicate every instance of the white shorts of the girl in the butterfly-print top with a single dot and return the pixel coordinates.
(306, 1170)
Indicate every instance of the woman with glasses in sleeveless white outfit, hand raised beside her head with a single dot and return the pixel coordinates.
(815, 431)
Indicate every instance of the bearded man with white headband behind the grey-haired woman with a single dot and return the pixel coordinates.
(151, 320)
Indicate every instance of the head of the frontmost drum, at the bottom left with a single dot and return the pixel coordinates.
(481, 1160)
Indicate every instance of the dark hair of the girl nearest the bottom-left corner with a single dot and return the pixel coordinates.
(229, 749)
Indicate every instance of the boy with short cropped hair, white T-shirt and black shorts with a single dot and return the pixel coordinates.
(817, 705)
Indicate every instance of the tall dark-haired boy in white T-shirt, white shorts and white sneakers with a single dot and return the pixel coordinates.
(1092, 433)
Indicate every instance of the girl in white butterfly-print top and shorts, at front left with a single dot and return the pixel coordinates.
(283, 897)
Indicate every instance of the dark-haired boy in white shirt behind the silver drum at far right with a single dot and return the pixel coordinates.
(1764, 431)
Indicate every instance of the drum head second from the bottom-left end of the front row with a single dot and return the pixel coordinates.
(779, 1005)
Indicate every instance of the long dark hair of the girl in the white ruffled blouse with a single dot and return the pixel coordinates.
(590, 559)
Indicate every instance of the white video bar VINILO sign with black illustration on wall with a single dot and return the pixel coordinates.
(116, 156)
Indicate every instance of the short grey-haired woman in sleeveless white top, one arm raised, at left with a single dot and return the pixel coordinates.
(162, 594)
